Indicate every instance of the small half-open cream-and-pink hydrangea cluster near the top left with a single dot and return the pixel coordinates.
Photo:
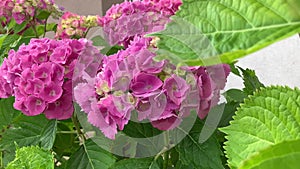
(73, 25)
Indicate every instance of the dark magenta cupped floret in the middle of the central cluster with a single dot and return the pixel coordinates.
(143, 85)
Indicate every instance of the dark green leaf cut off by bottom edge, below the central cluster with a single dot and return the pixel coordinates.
(141, 163)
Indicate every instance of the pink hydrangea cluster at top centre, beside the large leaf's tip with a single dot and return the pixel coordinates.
(124, 21)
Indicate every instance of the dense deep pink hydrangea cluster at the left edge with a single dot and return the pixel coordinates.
(39, 76)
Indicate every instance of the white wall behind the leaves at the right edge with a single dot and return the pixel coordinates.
(278, 64)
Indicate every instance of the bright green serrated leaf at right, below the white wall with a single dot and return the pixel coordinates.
(270, 116)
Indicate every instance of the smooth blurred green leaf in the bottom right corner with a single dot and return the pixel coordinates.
(283, 155)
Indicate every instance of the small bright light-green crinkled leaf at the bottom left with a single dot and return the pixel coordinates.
(33, 158)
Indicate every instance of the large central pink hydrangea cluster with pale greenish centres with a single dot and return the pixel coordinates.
(132, 80)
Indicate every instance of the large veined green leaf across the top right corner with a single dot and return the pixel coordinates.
(205, 32)
